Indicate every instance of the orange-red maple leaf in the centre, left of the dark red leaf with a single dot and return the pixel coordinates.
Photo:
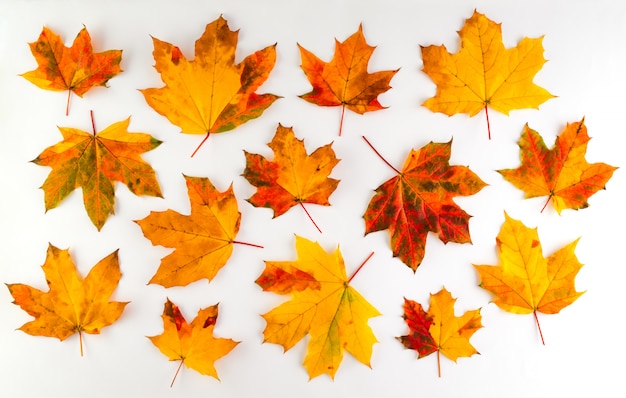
(293, 177)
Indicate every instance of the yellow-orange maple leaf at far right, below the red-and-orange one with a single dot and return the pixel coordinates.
(525, 281)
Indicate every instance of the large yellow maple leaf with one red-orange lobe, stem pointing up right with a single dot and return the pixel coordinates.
(323, 305)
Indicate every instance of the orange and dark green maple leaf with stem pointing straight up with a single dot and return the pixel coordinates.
(94, 162)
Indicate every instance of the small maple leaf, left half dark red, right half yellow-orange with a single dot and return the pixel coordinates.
(439, 330)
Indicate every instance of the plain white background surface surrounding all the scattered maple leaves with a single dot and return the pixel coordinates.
(584, 43)
